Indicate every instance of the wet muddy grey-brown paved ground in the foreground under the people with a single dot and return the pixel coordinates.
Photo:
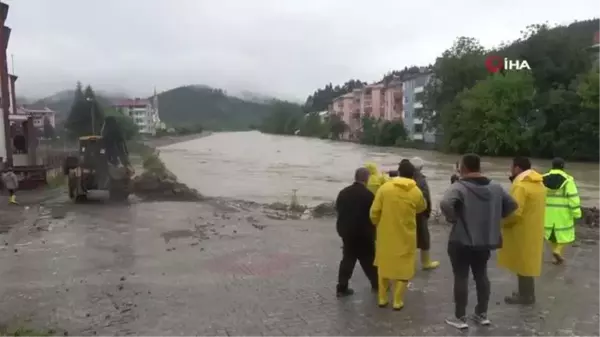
(208, 269)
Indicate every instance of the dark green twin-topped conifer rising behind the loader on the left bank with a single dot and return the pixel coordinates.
(86, 116)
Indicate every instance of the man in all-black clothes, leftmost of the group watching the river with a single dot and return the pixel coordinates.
(354, 226)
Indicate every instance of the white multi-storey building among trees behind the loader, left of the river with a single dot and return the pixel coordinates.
(143, 112)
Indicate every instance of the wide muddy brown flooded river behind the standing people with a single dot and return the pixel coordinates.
(267, 168)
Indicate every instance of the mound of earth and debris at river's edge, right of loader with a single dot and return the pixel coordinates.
(157, 183)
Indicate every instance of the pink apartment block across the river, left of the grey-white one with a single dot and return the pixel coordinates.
(376, 100)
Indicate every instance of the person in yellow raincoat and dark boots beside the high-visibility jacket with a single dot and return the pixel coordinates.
(523, 231)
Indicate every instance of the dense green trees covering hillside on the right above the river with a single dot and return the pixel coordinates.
(552, 110)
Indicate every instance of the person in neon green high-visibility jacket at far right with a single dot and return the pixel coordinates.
(562, 208)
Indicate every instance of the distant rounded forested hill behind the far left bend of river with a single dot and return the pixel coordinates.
(211, 108)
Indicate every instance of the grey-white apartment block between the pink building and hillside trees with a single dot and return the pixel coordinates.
(412, 88)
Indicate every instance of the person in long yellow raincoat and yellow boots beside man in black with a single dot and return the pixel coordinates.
(394, 212)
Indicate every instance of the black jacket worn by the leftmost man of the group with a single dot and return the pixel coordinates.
(353, 205)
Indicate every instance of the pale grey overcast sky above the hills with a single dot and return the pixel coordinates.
(286, 48)
